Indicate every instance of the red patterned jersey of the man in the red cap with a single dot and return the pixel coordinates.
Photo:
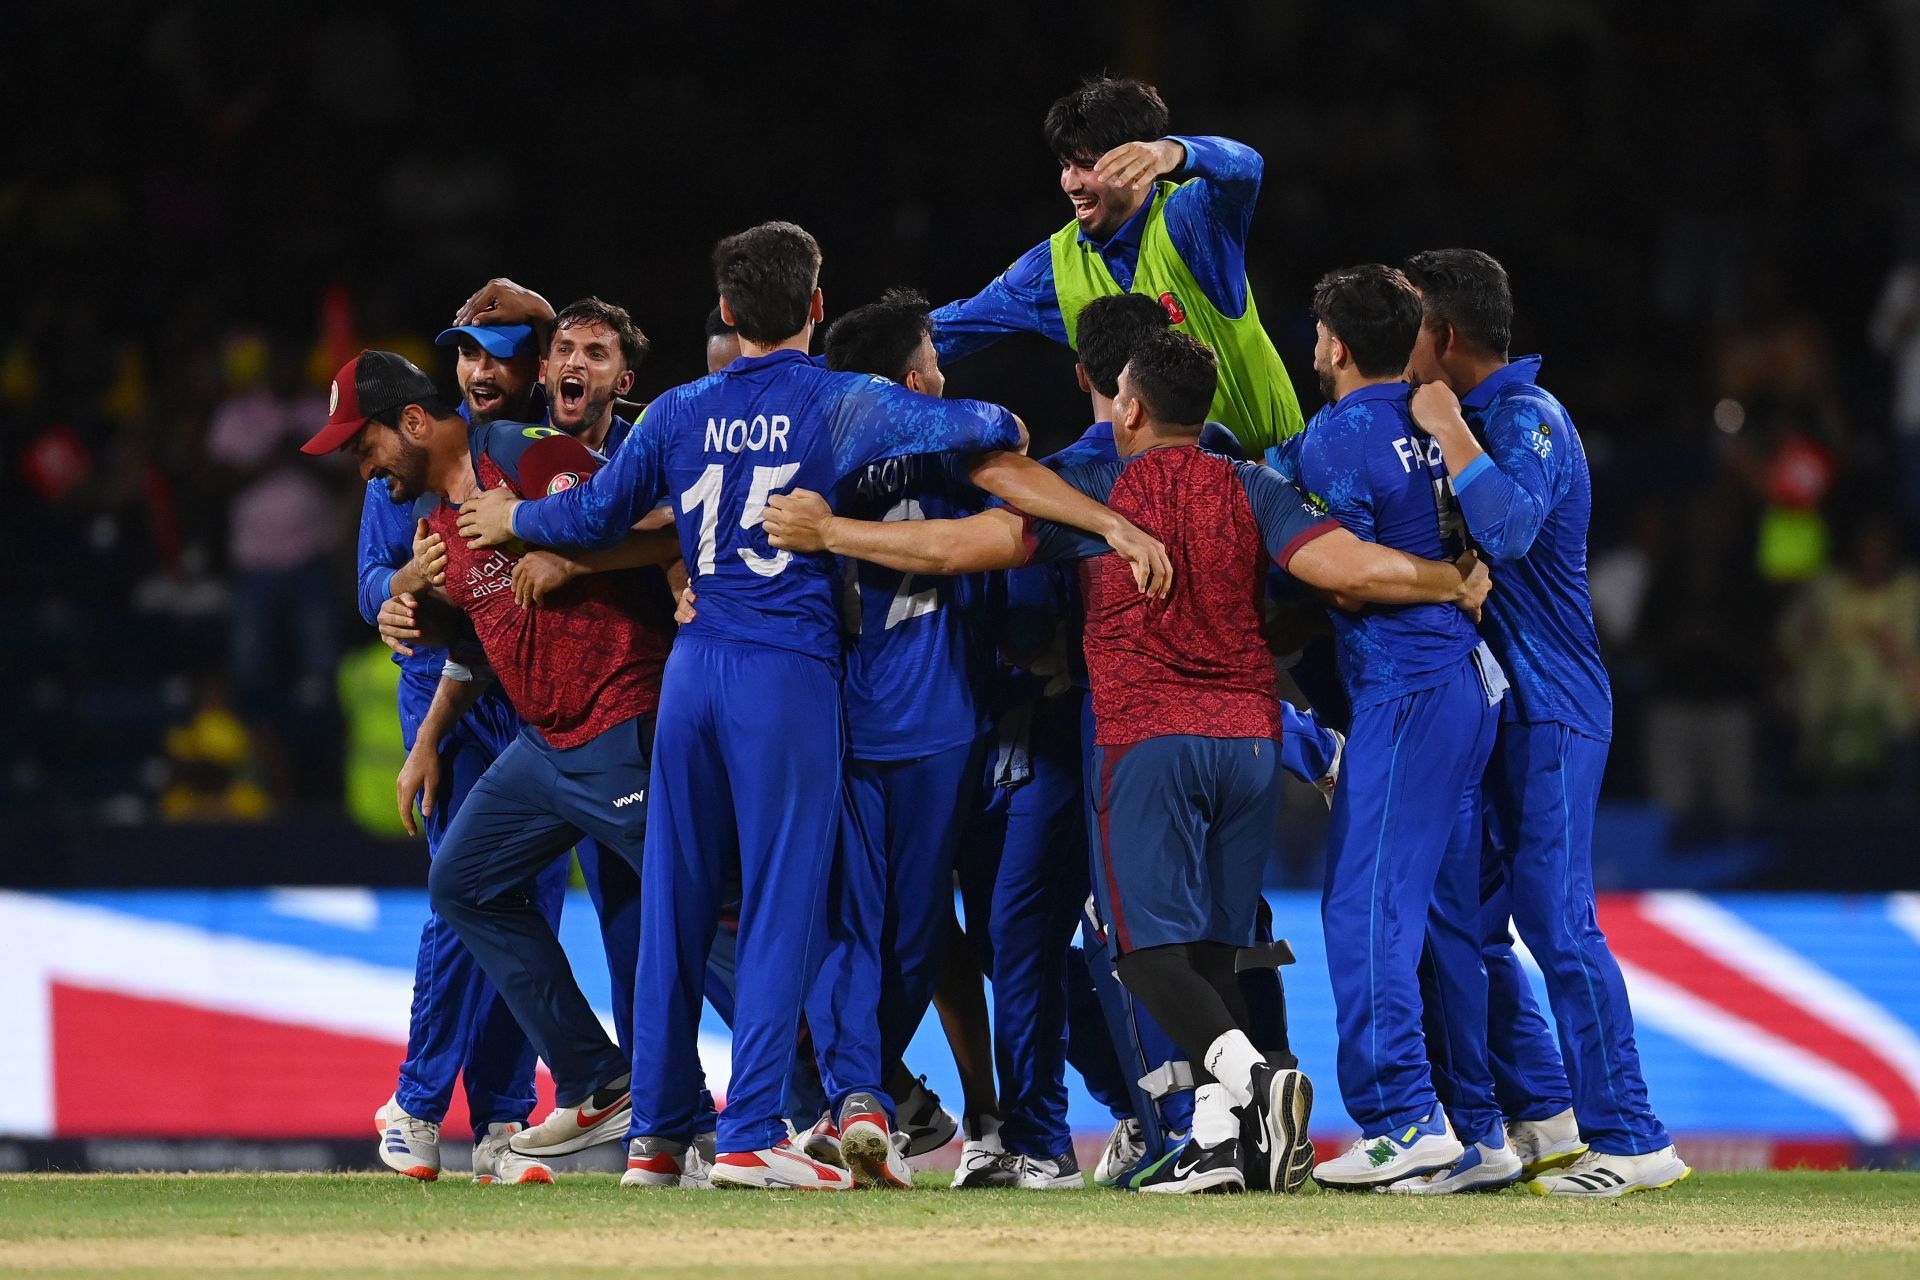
(594, 653)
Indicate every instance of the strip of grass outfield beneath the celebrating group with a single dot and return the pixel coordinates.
(1750, 1225)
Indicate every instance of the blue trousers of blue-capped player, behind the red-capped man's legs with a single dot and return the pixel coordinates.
(460, 1024)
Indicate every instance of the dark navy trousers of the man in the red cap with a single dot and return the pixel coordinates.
(519, 818)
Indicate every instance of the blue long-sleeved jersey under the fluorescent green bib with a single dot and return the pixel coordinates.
(1207, 220)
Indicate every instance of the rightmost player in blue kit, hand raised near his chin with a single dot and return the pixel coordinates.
(1525, 492)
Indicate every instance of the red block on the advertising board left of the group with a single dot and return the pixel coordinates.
(135, 1068)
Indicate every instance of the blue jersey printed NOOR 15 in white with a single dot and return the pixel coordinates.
(729, 442)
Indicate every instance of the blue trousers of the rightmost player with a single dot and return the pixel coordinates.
(1543, 788)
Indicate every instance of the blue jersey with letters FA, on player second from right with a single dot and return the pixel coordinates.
(1383, 479)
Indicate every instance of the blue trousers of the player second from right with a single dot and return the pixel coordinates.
(1403, 876)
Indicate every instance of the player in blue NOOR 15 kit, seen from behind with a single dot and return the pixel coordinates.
(750, 751)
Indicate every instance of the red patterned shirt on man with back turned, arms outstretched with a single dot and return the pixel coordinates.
(1193, 663)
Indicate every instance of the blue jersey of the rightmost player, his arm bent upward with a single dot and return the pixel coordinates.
(1529, 504)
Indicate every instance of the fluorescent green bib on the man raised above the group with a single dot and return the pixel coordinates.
(1255, 396)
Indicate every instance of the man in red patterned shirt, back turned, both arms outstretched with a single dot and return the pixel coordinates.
(1186, 707)
